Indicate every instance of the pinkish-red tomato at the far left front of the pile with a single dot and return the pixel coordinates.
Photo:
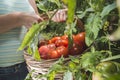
(43, 50)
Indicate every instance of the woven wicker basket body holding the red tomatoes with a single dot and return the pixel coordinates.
(40, 67)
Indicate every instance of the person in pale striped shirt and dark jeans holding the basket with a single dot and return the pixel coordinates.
(16, 16)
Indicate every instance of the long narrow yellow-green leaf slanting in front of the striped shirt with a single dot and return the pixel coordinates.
(35, 29)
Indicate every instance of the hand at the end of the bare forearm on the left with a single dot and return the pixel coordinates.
(27, 19)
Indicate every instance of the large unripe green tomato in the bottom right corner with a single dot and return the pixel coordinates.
(106, 70)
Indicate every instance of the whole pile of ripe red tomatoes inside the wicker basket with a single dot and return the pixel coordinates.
(58, 46)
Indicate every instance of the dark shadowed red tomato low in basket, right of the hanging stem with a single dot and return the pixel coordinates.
(76, 49)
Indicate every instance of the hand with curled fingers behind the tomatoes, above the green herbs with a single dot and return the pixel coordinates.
(60, 16)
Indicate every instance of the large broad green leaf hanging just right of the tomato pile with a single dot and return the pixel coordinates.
(92, 27)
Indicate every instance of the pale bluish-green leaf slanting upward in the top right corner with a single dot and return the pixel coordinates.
(107, 9)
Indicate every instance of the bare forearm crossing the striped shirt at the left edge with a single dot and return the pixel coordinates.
(9, 21)
